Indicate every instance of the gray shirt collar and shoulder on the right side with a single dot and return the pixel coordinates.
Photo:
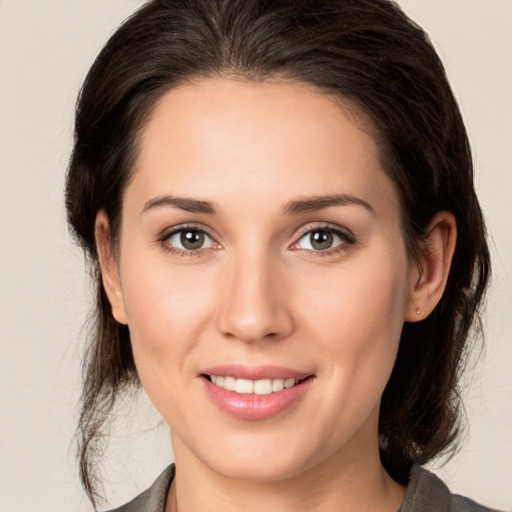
(427, 493)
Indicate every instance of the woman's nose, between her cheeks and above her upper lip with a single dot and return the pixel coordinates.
(254, 301)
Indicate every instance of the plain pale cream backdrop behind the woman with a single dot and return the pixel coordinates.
(46, 48)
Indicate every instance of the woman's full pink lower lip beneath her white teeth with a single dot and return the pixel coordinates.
(256, 407)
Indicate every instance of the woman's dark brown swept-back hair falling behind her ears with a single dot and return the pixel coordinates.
(366, 51)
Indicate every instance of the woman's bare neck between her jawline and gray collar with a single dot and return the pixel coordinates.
(343, 482)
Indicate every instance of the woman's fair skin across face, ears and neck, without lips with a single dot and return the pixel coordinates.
(257, 292)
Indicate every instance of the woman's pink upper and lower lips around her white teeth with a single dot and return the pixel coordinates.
(256, 407)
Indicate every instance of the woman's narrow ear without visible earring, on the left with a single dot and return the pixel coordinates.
(109, 268)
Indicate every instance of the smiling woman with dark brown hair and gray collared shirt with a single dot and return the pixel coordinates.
(278, 201)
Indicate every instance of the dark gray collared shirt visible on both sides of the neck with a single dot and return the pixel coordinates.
(425, 493)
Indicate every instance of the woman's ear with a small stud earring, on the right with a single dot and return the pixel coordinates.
(431, 272)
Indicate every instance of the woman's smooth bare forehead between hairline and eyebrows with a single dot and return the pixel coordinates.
(226, 139)
